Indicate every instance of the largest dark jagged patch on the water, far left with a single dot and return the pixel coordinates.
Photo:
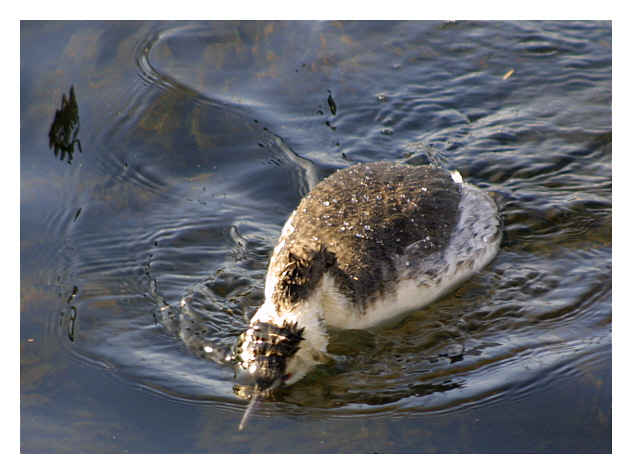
(65, 128)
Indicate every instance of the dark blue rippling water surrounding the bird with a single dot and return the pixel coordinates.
(144, 254)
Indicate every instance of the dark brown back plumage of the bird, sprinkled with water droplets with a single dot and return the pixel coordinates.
(357, 224)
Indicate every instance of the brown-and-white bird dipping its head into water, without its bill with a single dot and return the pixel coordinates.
(369, 243)
